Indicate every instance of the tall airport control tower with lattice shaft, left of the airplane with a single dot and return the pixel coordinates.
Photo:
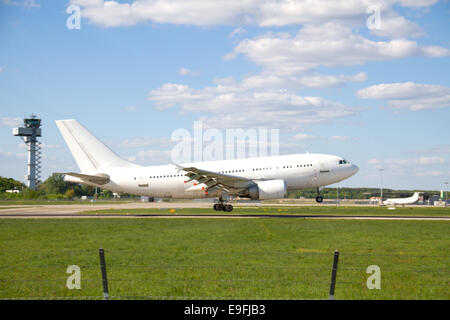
(29, 134)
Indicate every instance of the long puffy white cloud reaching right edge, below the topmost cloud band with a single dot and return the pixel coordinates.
(331, 45)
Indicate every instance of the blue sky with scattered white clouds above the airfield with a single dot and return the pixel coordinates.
(365, 80)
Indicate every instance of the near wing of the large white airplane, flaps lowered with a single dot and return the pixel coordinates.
(215, 181)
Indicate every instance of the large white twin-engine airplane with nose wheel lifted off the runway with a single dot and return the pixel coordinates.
(255, 178)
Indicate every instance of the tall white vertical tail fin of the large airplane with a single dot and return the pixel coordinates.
(89, 152)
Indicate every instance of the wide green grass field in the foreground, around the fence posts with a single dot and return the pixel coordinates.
(225, 258)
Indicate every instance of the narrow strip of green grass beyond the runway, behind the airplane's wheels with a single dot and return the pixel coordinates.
(288, 210)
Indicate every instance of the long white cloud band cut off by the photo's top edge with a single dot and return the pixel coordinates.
(275, 13)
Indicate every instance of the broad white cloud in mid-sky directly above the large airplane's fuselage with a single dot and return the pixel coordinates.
(234, 105)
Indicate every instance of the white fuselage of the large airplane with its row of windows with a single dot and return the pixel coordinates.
(299, 171)
